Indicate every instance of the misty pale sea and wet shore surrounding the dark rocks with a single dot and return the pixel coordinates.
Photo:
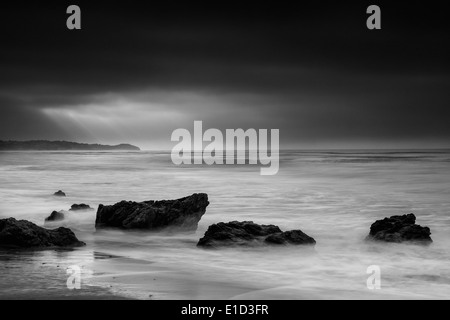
(333, 196)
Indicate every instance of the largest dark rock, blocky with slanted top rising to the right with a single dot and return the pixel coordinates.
(181, 214)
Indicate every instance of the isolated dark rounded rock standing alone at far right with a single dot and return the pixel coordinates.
(399, 229)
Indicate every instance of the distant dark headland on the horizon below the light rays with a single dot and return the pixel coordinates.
(61, 145)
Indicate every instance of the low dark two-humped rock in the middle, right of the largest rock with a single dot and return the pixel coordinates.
(247, 233)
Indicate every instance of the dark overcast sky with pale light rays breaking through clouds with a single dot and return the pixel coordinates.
(135, 73)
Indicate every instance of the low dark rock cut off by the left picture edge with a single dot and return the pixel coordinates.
(25, 234)
